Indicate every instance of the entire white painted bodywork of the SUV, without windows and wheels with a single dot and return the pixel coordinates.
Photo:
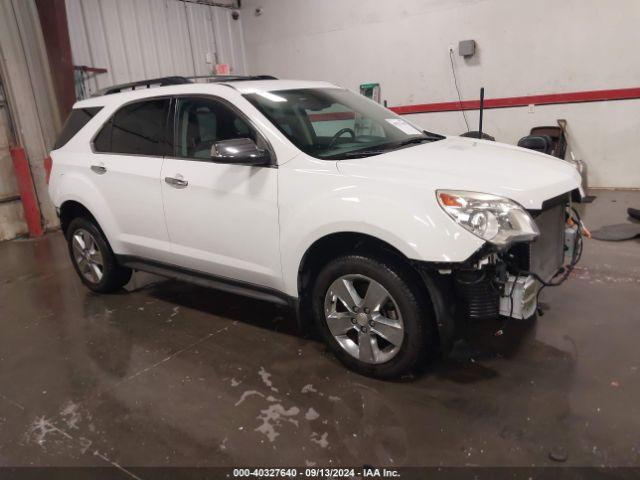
(254, 224)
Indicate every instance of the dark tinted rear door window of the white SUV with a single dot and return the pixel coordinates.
(138, 129)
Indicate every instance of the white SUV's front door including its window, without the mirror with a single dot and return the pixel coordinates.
(222, 218)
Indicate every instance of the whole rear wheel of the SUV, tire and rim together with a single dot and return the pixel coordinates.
(93, 258)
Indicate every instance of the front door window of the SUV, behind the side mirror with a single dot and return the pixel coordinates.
(201, 122)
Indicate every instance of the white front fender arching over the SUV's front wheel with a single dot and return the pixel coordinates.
(316, 200)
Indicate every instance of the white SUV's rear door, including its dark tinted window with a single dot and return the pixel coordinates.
(126, 166)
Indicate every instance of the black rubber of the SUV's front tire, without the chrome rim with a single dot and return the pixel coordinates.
(420, 338)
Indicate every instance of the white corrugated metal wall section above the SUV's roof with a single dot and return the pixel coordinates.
(140, 39)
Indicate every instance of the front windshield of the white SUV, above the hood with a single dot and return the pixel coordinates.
(332, 123)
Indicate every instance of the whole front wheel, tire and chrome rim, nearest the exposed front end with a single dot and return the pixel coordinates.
(391, 353)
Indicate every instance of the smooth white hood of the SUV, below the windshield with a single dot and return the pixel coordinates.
(458, 163)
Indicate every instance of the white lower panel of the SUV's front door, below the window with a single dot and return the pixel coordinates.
(225, 222)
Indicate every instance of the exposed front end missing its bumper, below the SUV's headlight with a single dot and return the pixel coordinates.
(506, 281)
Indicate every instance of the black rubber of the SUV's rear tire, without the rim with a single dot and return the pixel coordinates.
(114, 276)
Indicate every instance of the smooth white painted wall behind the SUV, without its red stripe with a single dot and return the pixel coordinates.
(524, 48)
